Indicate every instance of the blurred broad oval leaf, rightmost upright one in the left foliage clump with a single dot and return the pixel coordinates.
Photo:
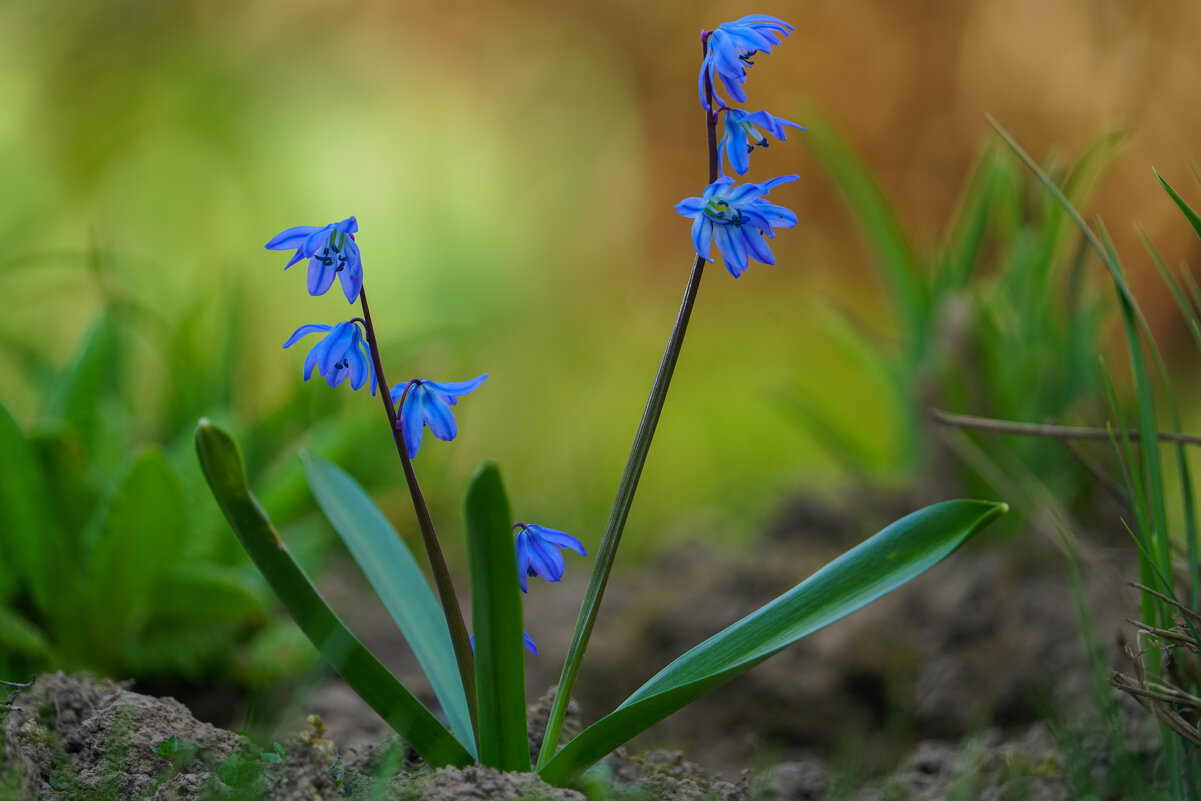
(138, 541)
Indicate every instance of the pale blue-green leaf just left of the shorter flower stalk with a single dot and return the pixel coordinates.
(398, 581)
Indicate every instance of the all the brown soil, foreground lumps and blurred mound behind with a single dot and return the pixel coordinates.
(943, 688)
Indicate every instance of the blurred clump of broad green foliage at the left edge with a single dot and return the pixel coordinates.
(110, 561)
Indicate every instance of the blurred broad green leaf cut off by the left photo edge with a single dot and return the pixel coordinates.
(28, 536)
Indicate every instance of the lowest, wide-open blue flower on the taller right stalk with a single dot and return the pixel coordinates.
(738, 219)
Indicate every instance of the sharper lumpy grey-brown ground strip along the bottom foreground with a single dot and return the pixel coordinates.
(70, 738)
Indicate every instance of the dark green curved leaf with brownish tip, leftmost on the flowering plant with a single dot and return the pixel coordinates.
(226, 475)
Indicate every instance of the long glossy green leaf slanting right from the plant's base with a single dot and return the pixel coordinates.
(903, 552)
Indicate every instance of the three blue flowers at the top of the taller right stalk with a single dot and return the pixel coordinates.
(737, 218)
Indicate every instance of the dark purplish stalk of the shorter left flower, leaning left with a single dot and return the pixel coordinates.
(447, 596)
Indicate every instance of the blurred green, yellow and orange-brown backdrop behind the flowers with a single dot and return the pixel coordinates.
(513, 169)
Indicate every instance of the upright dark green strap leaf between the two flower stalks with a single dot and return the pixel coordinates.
(497, 618)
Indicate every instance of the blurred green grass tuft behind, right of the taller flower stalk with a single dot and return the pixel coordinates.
(999, 320)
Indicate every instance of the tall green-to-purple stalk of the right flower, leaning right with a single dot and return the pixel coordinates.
(634, 471)
